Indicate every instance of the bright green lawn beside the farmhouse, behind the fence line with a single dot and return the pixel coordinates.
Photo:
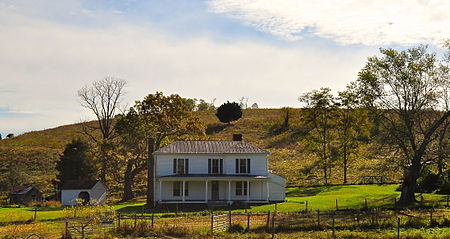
(321, 197)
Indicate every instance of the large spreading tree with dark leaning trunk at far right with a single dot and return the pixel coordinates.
(409, 90)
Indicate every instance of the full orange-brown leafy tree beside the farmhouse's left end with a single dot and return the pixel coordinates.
(163, 118)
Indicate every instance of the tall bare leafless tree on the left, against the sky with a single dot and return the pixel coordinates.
(103, 98)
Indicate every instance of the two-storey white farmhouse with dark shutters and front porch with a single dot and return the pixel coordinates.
(215, 172)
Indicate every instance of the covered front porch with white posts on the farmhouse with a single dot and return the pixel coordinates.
(210, 189)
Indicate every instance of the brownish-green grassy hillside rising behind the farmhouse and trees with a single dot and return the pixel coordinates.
(38, 150)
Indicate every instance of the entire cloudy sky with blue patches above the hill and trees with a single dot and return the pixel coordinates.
(270, 52)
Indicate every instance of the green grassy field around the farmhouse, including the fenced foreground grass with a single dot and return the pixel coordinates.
(50, 220)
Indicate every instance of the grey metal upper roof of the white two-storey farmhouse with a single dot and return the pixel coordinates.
(210, 147)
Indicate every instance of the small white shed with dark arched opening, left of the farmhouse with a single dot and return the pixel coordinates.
(87, 192)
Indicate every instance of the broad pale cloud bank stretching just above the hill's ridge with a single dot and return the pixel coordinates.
(44, 63)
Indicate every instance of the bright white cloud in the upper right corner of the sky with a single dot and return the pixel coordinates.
(369, 22)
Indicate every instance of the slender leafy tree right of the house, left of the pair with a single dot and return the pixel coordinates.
(319, 117)
